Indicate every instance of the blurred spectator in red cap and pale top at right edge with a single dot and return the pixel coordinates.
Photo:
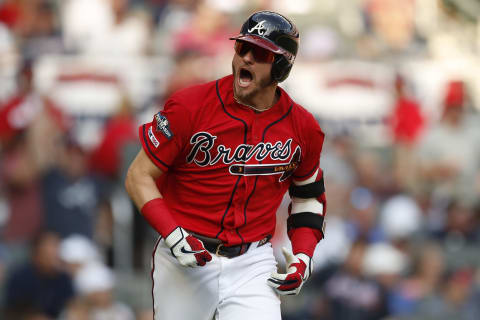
(449, 154)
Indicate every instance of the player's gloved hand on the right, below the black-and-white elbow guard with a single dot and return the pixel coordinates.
(299, 269)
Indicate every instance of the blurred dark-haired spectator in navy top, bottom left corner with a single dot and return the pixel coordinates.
(39, 285)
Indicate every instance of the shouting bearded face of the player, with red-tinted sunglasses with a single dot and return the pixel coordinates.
(251, 67)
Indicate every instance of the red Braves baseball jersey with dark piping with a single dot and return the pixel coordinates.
(227, 167)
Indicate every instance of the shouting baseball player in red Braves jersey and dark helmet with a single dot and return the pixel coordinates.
(214, 167)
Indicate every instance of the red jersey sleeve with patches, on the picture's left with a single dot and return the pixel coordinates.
(167, 135)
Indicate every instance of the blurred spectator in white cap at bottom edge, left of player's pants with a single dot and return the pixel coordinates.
(95, 284)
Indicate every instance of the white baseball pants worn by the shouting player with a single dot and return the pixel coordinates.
(223, 289)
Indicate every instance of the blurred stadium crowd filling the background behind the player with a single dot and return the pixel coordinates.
(393, 83)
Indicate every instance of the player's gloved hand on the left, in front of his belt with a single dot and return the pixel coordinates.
(188, 250)
